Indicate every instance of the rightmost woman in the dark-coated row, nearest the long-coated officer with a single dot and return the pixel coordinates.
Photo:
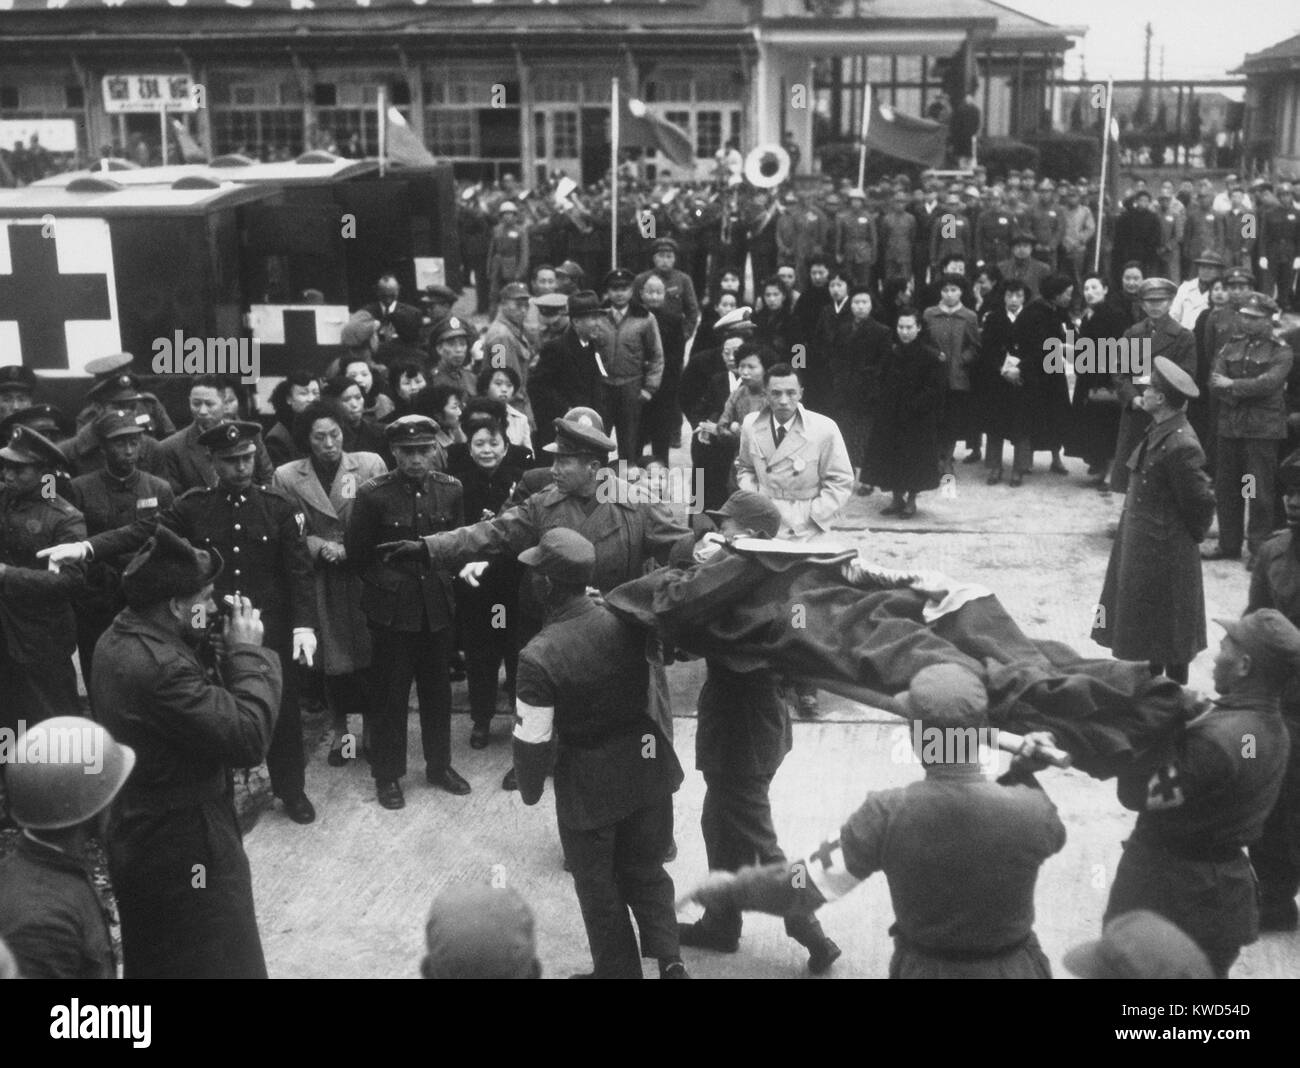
(1095, 409)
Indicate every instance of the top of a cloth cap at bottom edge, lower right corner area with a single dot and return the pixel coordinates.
(1139, 945)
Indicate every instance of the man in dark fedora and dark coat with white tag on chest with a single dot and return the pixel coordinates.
(573, 368)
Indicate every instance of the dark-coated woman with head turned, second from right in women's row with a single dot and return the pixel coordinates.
(1046, 392)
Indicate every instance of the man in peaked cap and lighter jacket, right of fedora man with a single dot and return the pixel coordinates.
(630, 335)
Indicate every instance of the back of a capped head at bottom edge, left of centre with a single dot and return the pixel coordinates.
(480, 932)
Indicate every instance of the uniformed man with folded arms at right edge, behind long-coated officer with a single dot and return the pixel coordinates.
(1249, 381)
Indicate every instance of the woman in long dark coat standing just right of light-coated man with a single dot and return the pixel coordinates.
(903, 450)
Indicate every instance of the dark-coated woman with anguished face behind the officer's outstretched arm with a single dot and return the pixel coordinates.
(489, 470)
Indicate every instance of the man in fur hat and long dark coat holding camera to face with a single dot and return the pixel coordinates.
(175, 849)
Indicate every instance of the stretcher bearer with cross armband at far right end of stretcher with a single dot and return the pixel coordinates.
(1208, 793)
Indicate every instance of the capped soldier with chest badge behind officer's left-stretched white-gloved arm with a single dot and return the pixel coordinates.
(116, 496)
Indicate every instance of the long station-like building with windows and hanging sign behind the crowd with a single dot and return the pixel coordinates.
(499, 86)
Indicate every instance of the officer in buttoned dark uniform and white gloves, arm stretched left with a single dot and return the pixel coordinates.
(262, 536)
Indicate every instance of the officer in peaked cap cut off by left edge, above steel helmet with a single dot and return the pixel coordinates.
(37, 626)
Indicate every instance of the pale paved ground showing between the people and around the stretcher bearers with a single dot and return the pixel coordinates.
(348, 896)
